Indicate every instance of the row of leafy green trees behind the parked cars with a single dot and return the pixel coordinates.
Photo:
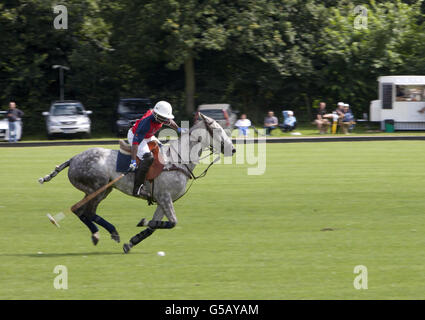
(255, 54)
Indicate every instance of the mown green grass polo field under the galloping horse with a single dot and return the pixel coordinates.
(238, 236)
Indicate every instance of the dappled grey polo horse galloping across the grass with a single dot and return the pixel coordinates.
(96, 167)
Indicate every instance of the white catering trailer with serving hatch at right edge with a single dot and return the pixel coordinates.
(400, 99)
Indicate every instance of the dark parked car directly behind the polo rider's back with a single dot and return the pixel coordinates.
(128, 111)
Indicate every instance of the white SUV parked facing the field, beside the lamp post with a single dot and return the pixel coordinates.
(67, 117)
